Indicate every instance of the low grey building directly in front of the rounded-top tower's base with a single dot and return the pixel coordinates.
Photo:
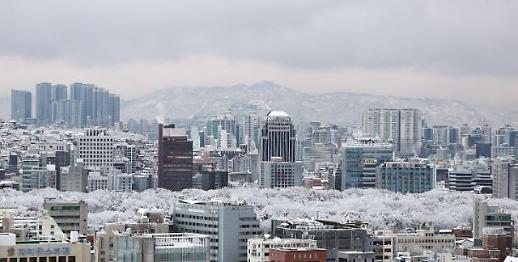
(278, 174)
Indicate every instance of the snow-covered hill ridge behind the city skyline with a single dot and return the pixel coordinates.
(342, 107)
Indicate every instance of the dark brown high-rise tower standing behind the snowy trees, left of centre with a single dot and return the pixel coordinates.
(175, 159)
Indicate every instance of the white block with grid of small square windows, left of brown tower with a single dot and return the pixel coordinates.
(95, 148)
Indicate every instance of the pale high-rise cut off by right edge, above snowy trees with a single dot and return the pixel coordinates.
(505, 178)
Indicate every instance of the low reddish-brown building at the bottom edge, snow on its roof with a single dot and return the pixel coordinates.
(297, 255)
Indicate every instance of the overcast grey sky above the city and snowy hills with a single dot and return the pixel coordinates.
(462, 49)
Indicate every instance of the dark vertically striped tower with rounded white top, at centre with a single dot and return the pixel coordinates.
(278, 137)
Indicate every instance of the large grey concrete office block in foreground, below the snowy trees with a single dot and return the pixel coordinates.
(228, 226)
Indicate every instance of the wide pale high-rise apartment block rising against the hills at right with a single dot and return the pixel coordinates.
(403, 127)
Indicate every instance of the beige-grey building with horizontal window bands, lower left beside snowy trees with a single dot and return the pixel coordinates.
(69, 215)
